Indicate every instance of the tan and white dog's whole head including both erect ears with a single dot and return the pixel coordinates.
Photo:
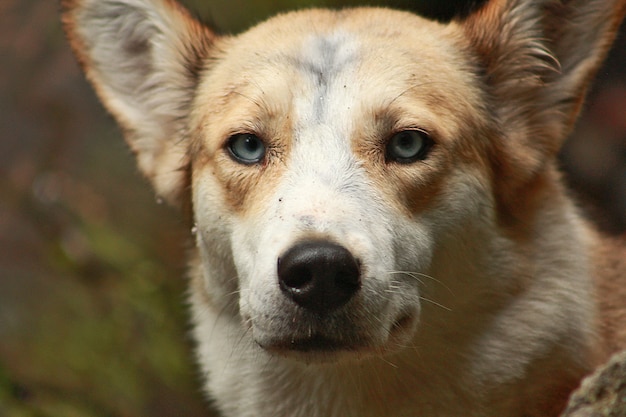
(339, 165)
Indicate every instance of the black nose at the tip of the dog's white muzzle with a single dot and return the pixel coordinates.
(318, 275)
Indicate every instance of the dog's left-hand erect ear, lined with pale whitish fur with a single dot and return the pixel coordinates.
(143, 58)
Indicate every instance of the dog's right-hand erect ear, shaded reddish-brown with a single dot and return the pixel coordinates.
(539, 57)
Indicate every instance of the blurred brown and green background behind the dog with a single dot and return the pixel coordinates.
(93, 318)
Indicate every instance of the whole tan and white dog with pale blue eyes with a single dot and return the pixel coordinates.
(380, 225)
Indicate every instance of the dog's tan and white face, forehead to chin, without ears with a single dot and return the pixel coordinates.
(332, 164)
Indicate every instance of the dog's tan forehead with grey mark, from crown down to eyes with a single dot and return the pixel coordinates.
(311, 65)
